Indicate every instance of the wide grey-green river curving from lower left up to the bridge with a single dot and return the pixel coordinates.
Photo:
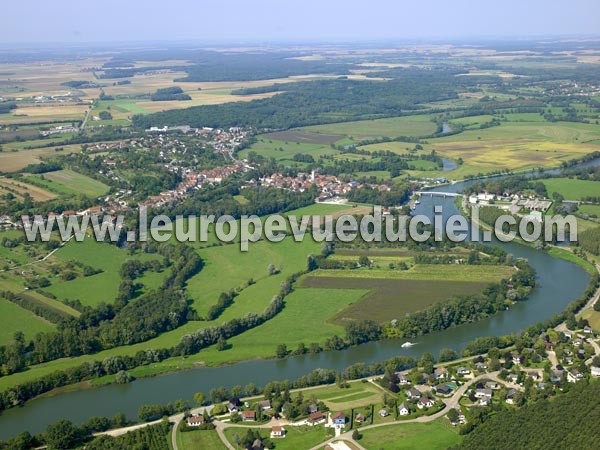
(559, 283)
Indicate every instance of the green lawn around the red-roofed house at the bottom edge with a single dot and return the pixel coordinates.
(297, 438)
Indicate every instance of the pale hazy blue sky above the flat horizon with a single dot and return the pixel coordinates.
(44, 21)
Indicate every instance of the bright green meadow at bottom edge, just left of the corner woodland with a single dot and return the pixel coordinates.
(436, 435)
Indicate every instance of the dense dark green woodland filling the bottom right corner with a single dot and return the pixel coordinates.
(566, 422)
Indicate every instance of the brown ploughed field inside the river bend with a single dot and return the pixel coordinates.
(392, 299)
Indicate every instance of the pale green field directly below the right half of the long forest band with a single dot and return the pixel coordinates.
(411, 126)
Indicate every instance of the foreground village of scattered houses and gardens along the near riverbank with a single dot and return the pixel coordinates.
(456, 391)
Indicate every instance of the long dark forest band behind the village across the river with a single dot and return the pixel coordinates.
(315, 102)
